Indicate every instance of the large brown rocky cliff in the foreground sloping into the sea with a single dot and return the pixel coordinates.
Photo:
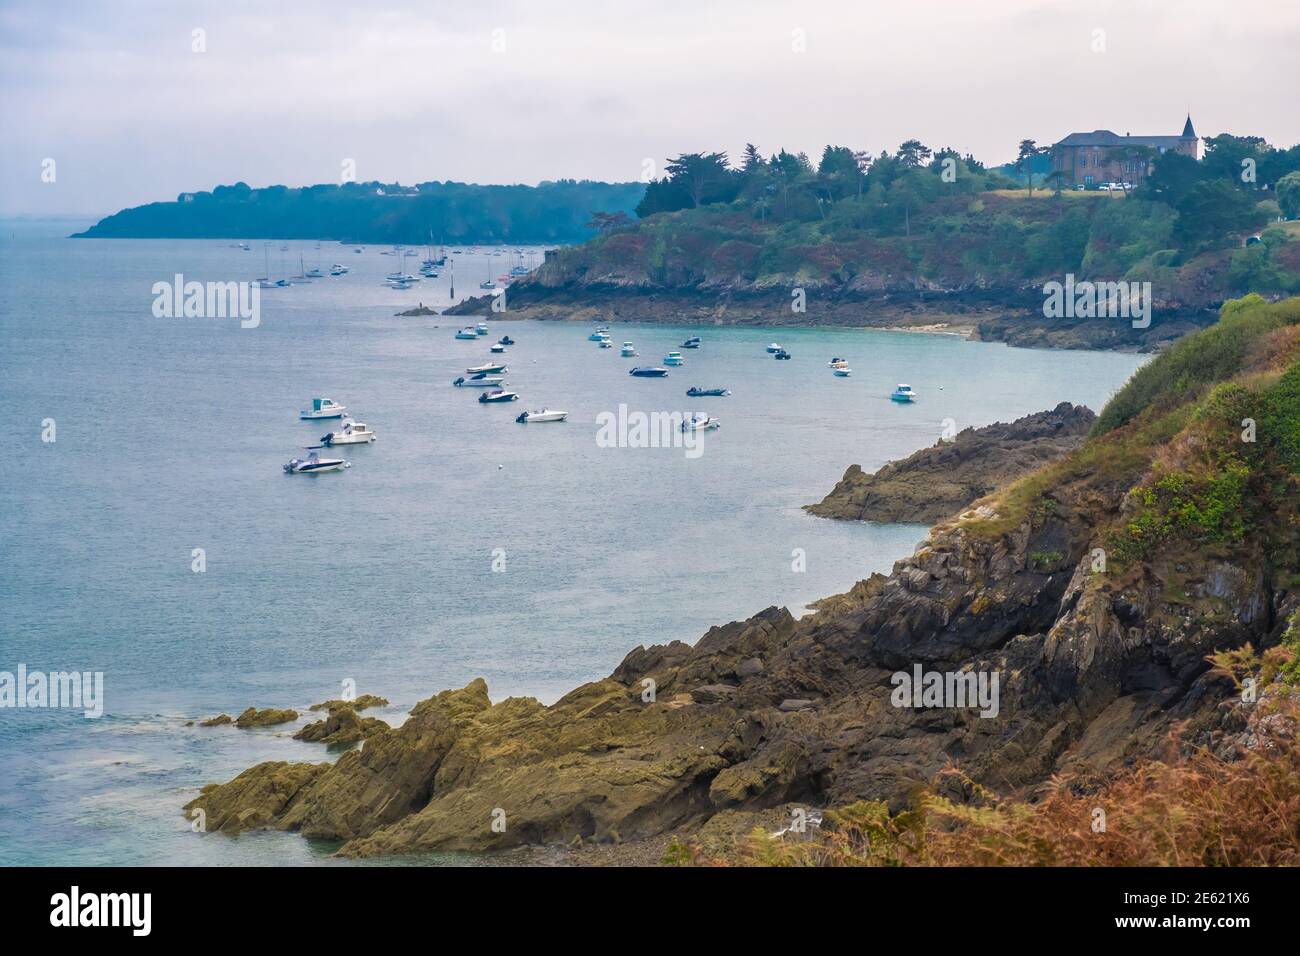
(1094, 589)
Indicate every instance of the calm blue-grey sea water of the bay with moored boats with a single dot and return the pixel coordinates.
(171, 436)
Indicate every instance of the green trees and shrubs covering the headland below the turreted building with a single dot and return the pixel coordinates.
(942, 223)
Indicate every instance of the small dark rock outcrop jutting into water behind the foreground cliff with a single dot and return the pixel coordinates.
(939, 482)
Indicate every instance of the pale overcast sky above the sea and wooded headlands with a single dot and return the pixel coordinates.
(138, 101)
